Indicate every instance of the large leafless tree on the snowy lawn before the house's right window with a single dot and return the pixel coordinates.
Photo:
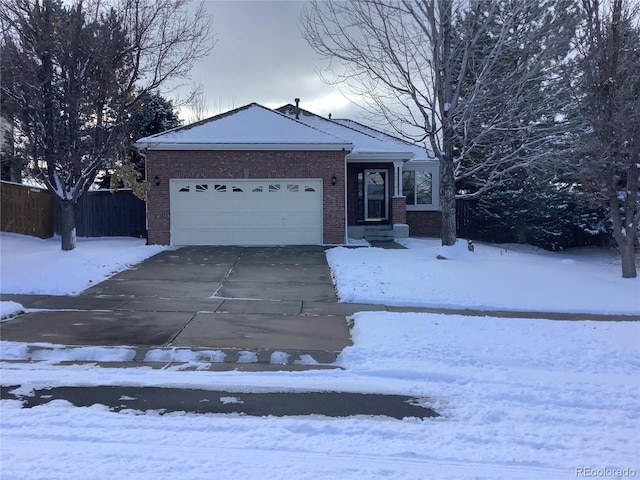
(456, 76)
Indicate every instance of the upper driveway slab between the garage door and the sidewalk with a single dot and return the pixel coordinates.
(255, 273)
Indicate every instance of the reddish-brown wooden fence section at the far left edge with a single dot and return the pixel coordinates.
(26, 210)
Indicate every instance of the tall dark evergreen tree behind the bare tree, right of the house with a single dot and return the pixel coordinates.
(535, 202)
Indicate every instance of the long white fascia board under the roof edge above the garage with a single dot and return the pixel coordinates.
(245, 146)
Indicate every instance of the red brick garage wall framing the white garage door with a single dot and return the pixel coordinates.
(244, 164)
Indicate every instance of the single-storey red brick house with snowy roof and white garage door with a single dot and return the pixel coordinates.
(256, 176)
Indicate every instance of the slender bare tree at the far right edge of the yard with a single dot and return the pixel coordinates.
(609, 95)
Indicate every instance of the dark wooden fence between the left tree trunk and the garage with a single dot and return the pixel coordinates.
(102, 213)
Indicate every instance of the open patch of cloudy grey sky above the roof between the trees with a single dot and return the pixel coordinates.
(260, 56)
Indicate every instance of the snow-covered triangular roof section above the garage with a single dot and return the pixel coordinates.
(250, 127)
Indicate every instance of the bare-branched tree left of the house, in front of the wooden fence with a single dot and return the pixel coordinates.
(79, 68)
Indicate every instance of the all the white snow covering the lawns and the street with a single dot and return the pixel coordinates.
(520, 398)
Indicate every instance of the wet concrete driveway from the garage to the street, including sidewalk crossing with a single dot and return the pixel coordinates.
(235, 299)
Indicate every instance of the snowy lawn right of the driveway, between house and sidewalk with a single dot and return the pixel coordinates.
(508, 277)
